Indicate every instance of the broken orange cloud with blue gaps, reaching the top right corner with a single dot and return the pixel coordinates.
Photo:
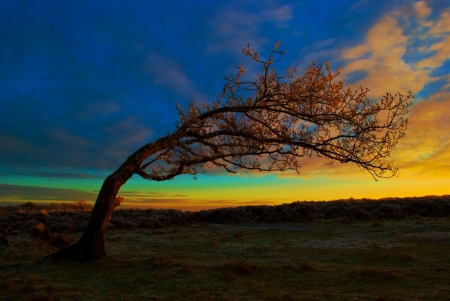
(391, 56)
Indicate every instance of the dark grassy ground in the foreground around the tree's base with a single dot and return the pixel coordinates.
(387, 260)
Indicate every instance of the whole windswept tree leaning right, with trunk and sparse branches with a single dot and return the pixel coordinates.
(266, 125)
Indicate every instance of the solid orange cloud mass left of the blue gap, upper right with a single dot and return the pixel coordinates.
(383, 57)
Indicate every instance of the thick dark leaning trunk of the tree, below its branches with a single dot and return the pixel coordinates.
(91, 245)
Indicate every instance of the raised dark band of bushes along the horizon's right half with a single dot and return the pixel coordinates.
(349, 210)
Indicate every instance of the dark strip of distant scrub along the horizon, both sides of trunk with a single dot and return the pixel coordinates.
(73, 217)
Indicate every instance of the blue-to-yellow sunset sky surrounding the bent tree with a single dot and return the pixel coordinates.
(85, 83)
